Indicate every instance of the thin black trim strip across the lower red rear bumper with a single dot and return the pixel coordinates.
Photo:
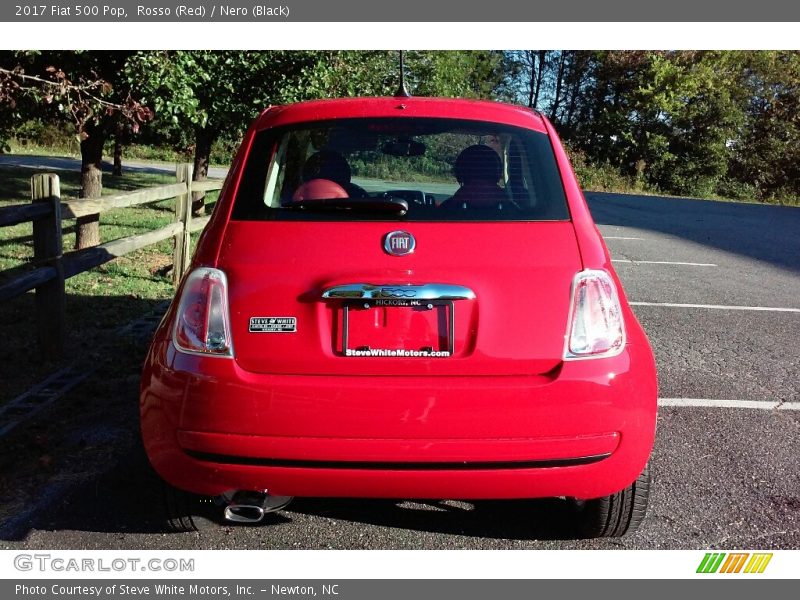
(396, 466)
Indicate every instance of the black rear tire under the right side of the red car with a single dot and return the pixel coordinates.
(617, 514)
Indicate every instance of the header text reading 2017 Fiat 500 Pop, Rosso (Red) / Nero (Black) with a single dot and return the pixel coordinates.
(189, 12)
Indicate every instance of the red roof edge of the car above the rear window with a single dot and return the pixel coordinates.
(451, 108)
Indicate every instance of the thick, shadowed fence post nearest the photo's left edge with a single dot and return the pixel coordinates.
(47, 249)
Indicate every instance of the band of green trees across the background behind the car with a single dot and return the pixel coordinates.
(705, 123)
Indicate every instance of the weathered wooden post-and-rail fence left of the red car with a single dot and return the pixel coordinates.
(52, 267)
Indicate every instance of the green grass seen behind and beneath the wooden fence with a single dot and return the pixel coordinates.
(99, 301)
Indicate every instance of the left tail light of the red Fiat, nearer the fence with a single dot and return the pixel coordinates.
(203, 321)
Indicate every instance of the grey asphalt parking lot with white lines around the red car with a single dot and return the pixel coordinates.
(717, 289)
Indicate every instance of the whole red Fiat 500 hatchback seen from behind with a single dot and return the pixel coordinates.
(401, 298)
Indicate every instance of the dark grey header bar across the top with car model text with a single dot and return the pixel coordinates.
(144, 11)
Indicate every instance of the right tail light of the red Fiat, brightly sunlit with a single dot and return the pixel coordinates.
(596, 328)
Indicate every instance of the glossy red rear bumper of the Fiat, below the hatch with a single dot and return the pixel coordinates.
(585, 431)
